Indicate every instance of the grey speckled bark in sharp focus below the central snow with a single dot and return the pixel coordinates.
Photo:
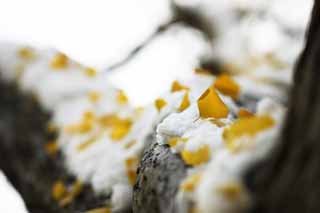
(159, 176)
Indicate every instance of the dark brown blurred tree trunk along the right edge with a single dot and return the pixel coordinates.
(289, 180)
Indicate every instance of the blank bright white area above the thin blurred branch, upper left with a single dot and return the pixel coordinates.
(95, 32)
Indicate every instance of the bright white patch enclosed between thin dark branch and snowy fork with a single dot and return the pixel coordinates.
(171, 55)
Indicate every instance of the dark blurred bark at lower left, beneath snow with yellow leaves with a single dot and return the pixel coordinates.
(23, 158)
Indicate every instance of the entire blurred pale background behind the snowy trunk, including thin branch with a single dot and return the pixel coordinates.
(145, 44)
